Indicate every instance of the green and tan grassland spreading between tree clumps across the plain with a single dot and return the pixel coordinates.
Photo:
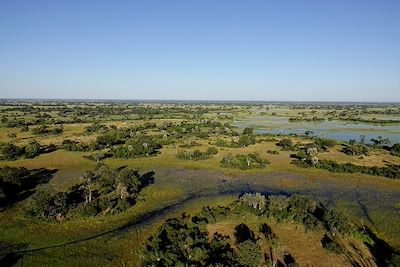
(182, 185)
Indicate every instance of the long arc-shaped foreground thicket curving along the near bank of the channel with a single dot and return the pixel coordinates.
(184, 241)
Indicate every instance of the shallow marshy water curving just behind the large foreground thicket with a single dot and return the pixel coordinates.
(364, 203)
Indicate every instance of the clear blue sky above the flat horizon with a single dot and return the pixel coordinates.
(201, 49)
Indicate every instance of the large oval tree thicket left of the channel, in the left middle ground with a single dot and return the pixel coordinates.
(103, 191)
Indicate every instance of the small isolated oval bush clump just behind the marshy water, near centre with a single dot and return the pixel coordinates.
(244, 162)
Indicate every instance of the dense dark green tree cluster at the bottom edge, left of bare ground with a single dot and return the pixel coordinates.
(184, 241)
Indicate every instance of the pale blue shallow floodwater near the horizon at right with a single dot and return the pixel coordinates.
(339, 130)
